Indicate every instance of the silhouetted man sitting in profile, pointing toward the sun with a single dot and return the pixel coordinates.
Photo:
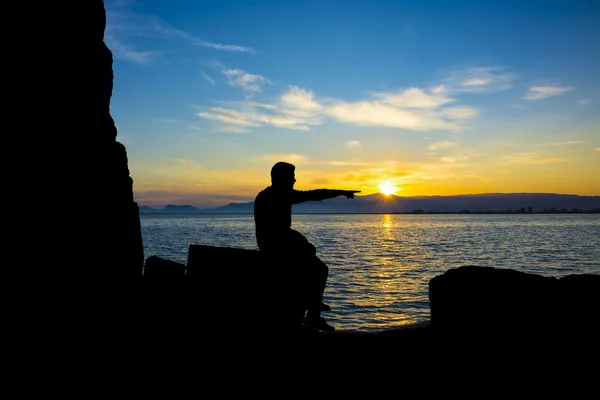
(276, 238)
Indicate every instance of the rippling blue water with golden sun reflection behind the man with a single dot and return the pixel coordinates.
(380, 265)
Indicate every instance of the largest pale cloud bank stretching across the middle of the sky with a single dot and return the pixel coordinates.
(297, 108)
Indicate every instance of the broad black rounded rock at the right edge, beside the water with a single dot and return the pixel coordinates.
(473, 302)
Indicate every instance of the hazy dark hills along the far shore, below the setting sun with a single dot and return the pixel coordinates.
(378, 203)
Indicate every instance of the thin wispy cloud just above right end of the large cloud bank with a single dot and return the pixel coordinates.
(478, 80)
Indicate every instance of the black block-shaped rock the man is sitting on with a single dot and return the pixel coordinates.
(245, 288)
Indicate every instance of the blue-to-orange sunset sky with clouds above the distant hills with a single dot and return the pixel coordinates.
(424, 97)
